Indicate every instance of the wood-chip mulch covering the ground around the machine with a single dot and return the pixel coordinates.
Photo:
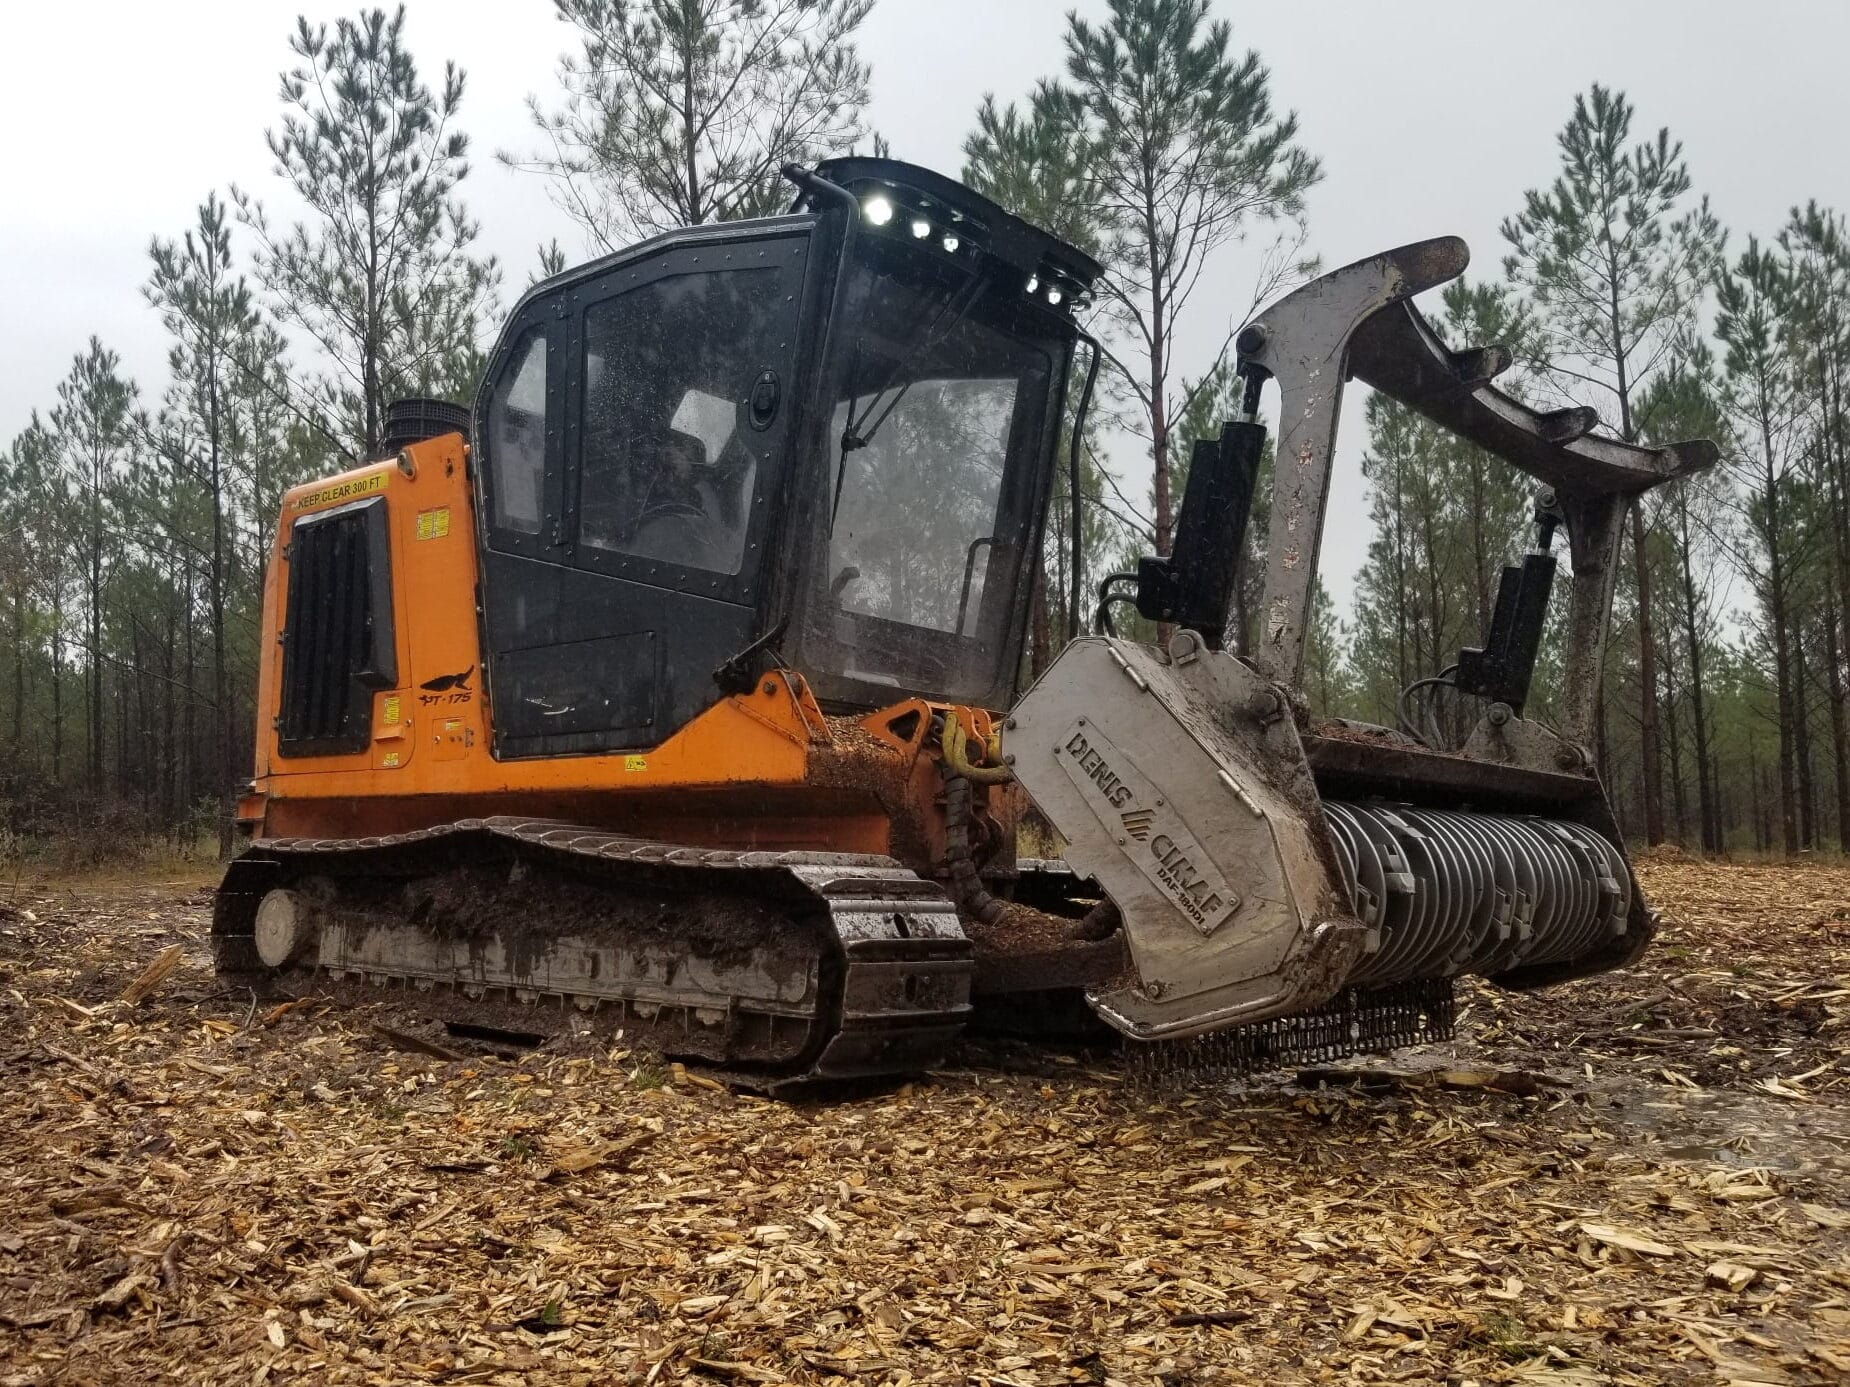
(1638, 1179)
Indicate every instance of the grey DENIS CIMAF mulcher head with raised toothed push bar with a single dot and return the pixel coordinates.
(1309, 889)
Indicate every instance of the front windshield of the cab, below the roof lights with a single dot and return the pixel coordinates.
(935, 480)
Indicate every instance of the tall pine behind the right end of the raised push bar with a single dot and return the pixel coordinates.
(1616, 267)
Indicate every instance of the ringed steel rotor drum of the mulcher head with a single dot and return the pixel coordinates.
(1448, 892)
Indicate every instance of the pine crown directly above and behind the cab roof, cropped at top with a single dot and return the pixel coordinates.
(684, 112)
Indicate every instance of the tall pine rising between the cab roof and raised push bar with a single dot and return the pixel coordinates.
(1183, 154)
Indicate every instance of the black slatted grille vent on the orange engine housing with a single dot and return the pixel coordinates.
(338, 632)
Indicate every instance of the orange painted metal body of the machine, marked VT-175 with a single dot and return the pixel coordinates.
(761, 770)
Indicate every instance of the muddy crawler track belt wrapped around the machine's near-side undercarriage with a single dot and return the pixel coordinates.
(894, 1001)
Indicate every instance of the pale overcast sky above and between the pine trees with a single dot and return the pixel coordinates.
(1431, 117)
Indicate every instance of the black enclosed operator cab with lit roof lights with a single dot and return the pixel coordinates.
(830, 434)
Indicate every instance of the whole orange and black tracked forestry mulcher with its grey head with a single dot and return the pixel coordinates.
(672, 689)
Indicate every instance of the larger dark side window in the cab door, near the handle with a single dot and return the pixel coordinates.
(680, 395)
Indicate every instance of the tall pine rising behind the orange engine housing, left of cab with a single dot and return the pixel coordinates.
(380, 276)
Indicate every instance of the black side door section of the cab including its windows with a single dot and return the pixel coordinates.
(635, 434)
